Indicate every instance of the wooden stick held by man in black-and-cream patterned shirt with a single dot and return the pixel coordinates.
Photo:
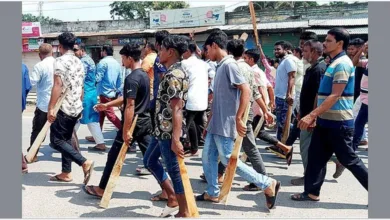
(189, 194)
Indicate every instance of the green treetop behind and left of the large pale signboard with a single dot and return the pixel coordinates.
(134, 10)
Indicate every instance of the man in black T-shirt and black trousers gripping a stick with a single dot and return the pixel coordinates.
(136, 96)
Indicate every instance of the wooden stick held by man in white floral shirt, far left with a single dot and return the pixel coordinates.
(42, 134)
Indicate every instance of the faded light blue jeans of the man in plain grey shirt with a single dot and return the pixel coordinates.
(216, 145)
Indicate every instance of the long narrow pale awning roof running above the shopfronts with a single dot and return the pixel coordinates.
(260, 26)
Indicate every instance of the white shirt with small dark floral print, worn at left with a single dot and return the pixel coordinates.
(71, 71)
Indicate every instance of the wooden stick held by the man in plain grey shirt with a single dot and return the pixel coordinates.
(232, 165)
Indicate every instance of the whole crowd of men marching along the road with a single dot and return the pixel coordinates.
(186, 96)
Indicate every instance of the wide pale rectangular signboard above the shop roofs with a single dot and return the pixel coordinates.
(190, 17)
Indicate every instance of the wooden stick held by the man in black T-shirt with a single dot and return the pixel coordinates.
(116, 171)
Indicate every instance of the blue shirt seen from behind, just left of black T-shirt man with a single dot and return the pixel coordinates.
(109, 77)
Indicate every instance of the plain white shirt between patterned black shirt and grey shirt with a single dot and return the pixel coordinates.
(198, 73)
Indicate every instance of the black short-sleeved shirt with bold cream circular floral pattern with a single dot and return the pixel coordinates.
(174, 84)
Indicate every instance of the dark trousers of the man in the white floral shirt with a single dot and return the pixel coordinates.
(60, 136)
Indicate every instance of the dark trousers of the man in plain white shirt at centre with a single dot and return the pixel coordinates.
(194, 121)
